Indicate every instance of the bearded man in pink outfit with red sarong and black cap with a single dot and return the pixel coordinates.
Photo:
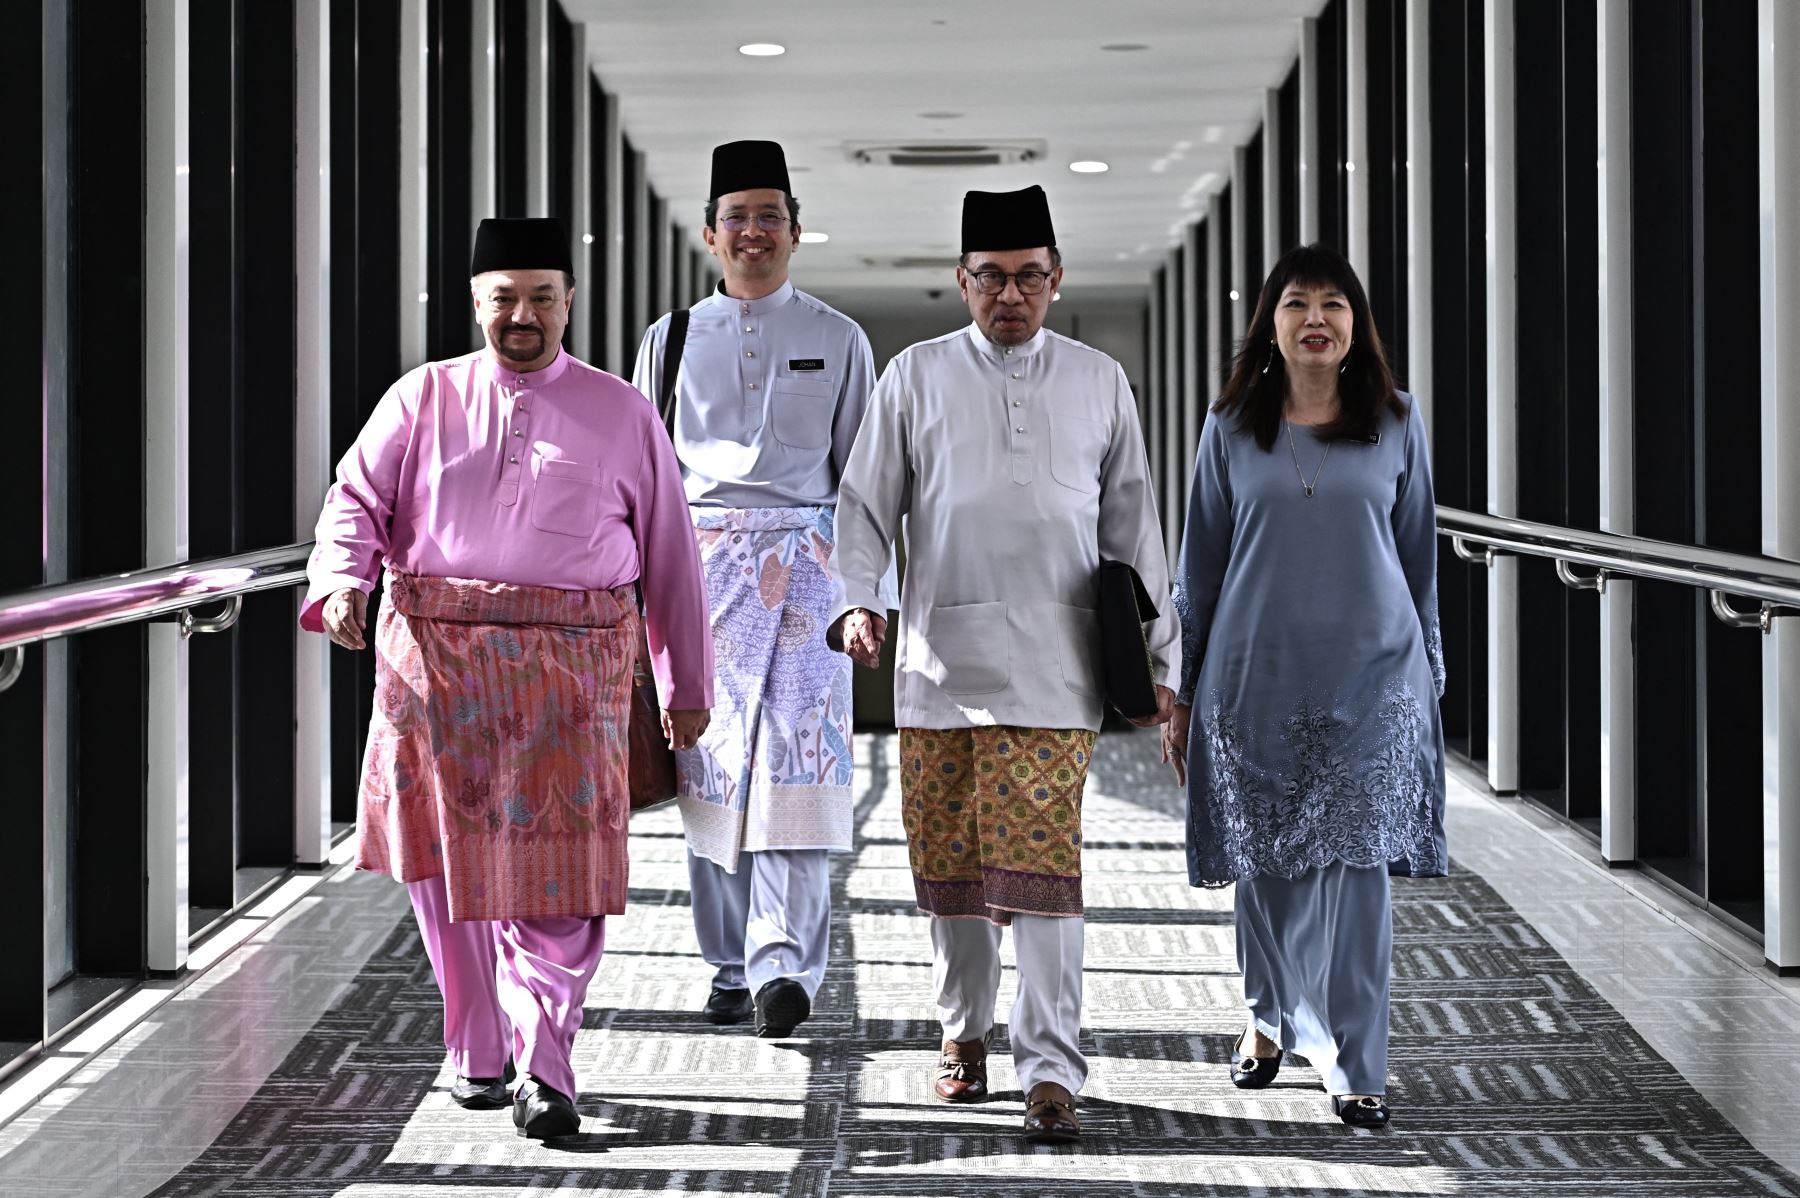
(516, 497)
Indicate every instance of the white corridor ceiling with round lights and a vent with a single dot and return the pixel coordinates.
(856, 71)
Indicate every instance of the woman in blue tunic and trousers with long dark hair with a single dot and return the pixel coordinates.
(1311, 674)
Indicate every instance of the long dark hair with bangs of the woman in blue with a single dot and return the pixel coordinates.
(1257, 395)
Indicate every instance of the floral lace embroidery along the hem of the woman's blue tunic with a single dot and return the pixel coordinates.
(1335, 803)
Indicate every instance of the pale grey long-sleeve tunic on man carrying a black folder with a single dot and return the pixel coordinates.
(1016, 472)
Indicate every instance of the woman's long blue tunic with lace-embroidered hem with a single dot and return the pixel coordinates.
(1311, 656)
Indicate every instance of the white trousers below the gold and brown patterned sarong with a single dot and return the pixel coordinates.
(1047, 1017)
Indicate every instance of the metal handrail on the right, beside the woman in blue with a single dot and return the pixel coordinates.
(1772, 580)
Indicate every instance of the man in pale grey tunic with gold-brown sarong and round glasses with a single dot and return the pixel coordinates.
(1016, 460)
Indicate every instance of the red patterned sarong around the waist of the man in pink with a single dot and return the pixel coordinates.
(498, 746)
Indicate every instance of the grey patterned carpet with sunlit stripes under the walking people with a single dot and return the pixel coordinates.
(1509, 1075)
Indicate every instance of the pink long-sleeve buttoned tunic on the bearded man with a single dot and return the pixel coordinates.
(561, 478)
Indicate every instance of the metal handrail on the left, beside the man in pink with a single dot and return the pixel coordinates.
(66, 609)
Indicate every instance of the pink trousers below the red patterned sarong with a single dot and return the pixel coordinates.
(514, 988)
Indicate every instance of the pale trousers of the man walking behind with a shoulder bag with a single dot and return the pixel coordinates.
(769, 920)
